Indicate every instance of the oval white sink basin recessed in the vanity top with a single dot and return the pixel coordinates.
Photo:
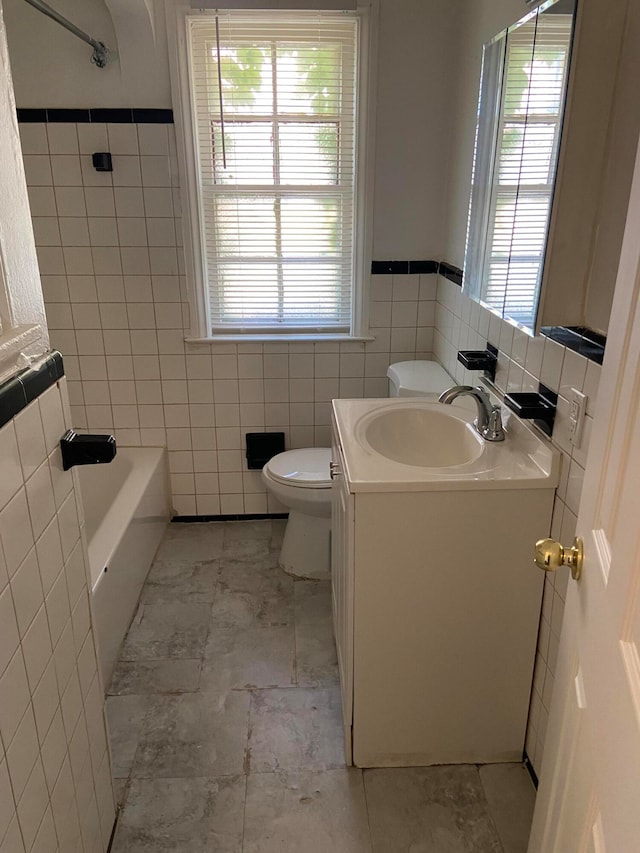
(428, 438)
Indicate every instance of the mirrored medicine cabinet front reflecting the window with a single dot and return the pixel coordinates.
(522, 95)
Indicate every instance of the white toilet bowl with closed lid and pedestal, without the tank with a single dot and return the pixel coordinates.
(300, 480)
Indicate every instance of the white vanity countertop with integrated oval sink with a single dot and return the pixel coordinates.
(416, 444)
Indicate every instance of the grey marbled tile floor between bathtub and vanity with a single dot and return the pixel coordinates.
(225, 723)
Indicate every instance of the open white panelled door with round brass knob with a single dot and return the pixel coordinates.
(589, 796)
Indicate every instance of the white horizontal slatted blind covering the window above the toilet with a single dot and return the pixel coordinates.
(276, 147)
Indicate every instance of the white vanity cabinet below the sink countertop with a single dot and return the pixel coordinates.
(436, 603)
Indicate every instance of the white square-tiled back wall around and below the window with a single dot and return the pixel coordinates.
(109, 246)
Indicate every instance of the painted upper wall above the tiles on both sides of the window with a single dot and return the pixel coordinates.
(51, 68)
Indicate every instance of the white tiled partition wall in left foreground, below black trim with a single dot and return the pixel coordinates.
(52, 733)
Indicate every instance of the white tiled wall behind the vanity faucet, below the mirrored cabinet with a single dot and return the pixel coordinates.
(523, 362)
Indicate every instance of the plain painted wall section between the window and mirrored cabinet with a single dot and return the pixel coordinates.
(417, 45)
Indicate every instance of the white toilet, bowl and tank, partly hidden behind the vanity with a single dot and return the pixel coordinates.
(300, 479)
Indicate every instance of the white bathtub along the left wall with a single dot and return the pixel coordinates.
(126, 509)
